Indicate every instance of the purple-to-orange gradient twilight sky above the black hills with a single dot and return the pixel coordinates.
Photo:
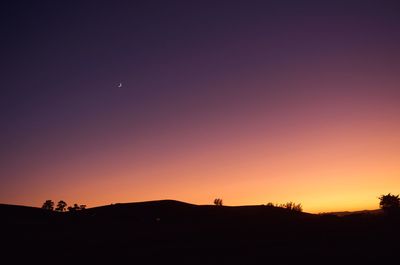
(248, 101)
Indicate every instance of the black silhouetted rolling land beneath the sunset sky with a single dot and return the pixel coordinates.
(172, 232)
